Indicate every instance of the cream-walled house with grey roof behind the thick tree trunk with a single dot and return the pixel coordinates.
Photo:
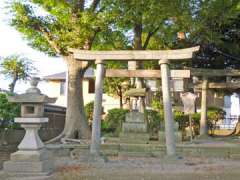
(56, 87)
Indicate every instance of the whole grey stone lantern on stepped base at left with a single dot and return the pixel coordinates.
(31, 158)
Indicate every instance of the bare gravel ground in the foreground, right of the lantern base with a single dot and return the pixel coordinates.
(126, 168)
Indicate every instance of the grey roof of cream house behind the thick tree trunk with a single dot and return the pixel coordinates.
(89, 73)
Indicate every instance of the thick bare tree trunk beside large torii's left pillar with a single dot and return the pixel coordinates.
(76, 125)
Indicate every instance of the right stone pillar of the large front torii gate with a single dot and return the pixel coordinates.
(168, 115)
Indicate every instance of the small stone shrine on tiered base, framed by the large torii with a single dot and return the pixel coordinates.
(134, 129)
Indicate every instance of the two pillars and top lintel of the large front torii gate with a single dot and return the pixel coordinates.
(163, 57)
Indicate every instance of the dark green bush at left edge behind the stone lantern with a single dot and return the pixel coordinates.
(8, 111)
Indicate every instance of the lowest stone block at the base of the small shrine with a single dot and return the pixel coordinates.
(134, 138)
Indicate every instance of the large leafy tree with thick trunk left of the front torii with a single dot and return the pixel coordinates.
(55, 26)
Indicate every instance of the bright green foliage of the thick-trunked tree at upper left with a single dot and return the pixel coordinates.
(54, 26)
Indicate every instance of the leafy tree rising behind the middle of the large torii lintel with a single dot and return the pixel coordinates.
(147, 25)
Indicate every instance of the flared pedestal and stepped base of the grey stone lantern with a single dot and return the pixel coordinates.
(32, 159)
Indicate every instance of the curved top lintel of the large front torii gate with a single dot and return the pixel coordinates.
(88, 55)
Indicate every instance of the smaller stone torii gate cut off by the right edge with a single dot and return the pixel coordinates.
(206, 74)
